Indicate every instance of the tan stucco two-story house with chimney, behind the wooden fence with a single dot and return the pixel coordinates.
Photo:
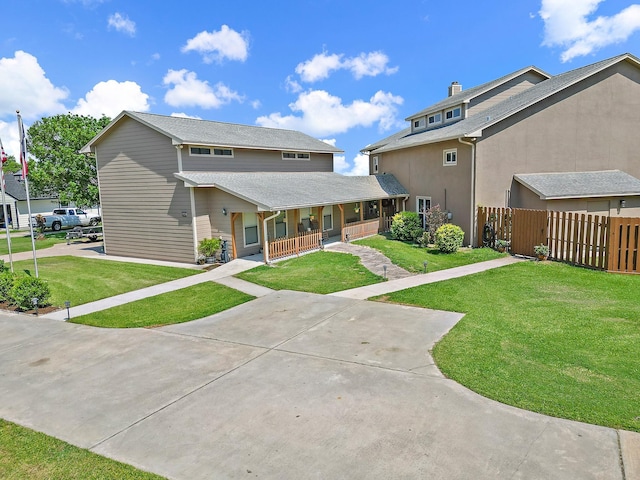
(481, 146)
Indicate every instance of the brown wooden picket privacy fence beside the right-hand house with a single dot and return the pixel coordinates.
(606, 243)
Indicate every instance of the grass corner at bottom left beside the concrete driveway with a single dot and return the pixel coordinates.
(25, 454)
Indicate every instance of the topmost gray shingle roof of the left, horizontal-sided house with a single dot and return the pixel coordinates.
(206, 132)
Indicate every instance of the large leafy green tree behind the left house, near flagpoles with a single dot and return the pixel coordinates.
(59, 168)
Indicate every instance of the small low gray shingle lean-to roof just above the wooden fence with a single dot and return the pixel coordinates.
(608, 183)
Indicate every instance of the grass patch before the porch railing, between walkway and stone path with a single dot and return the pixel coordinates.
(319, 272)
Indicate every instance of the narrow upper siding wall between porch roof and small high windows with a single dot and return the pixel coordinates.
(244, 160)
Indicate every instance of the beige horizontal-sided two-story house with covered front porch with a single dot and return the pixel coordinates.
(166, 183)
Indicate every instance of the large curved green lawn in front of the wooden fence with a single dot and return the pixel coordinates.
(543, 336)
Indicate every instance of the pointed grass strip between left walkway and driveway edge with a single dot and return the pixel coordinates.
(191, 303)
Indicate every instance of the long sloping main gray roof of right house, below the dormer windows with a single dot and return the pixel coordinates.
(473, 126)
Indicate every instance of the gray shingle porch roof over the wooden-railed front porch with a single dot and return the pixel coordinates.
(272, 191)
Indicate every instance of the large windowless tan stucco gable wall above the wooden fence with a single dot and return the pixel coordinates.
(589, 126)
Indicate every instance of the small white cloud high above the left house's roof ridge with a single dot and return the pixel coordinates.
(218, 45)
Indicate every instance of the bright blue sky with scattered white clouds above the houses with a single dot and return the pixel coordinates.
(343, 71)
